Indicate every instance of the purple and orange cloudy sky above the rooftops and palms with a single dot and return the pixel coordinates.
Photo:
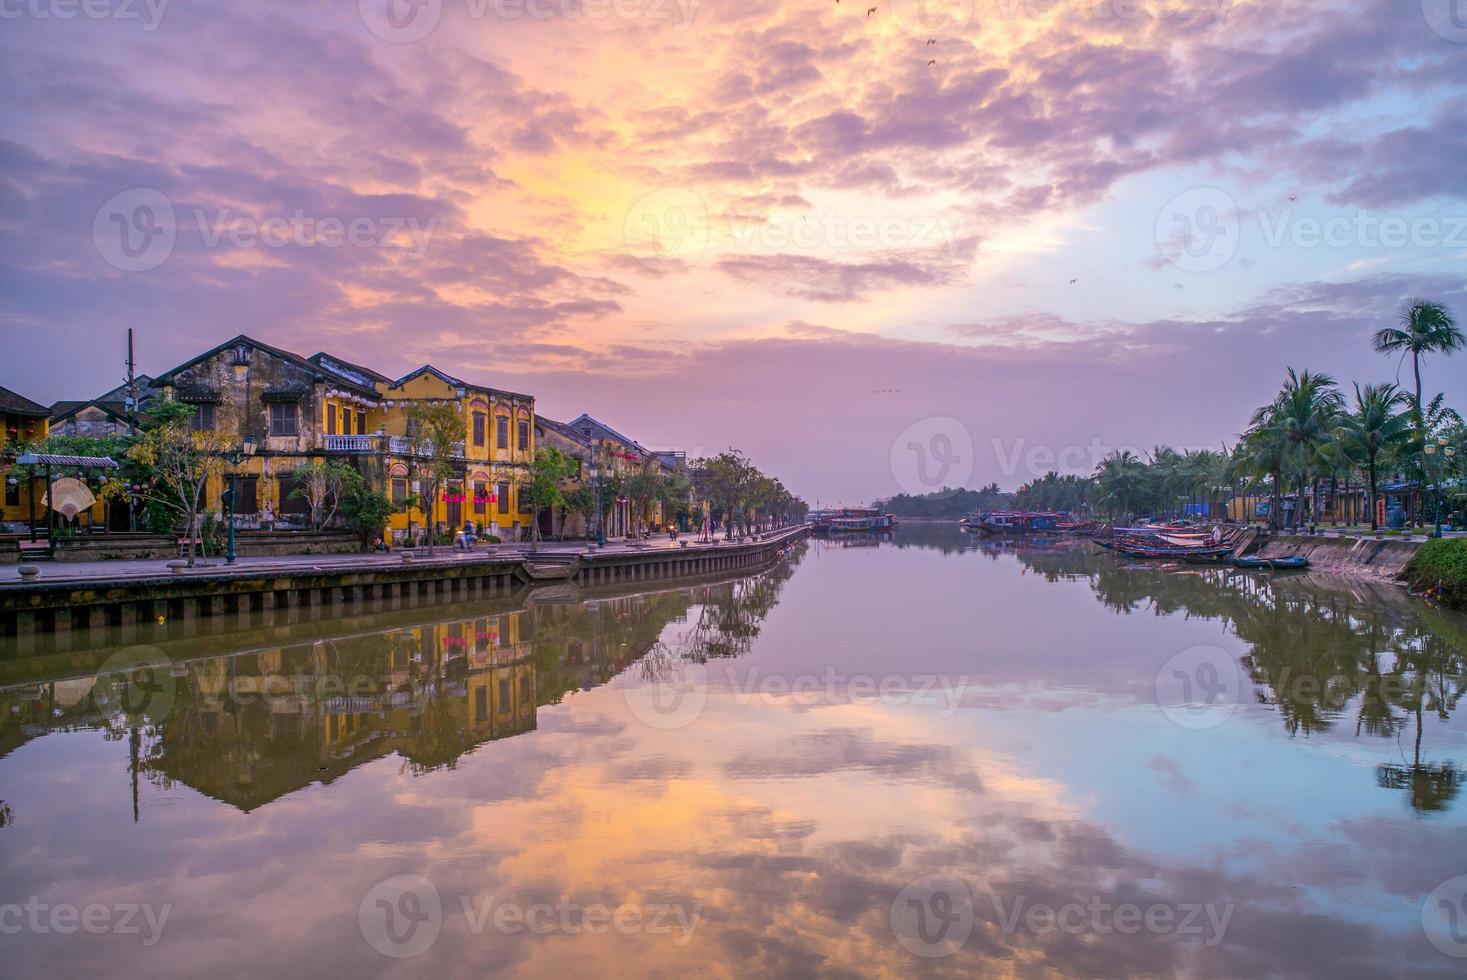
(878, 246)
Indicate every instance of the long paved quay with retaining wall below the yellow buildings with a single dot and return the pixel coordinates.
(92, 604)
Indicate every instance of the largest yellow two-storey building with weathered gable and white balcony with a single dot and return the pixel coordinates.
(287, 410)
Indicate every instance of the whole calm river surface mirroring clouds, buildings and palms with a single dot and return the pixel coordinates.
(928, 756)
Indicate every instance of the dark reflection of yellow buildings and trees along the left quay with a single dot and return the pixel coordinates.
(252, 727)
